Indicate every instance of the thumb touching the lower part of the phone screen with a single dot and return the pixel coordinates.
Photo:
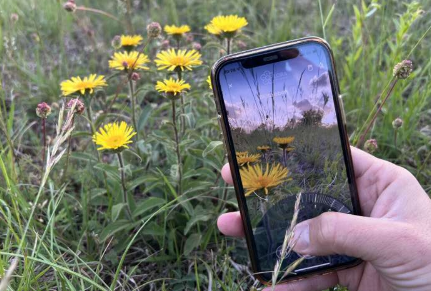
(345, 234)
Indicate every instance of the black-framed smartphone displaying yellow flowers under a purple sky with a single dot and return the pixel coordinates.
(283, 122)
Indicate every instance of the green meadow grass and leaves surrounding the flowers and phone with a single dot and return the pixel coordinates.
(78, 235)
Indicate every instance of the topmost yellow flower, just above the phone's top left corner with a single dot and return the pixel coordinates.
(228, 25)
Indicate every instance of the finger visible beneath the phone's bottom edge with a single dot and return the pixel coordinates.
(317, 283)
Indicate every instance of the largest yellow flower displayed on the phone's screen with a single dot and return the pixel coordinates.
(254, 179)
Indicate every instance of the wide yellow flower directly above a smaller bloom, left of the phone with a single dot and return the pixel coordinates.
(177, 60)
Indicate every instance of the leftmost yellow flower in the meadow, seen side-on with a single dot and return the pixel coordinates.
(87, 84)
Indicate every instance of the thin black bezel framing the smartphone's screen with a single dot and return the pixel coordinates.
(228, 141)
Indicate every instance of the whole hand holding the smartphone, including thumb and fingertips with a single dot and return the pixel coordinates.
(393, 238)
